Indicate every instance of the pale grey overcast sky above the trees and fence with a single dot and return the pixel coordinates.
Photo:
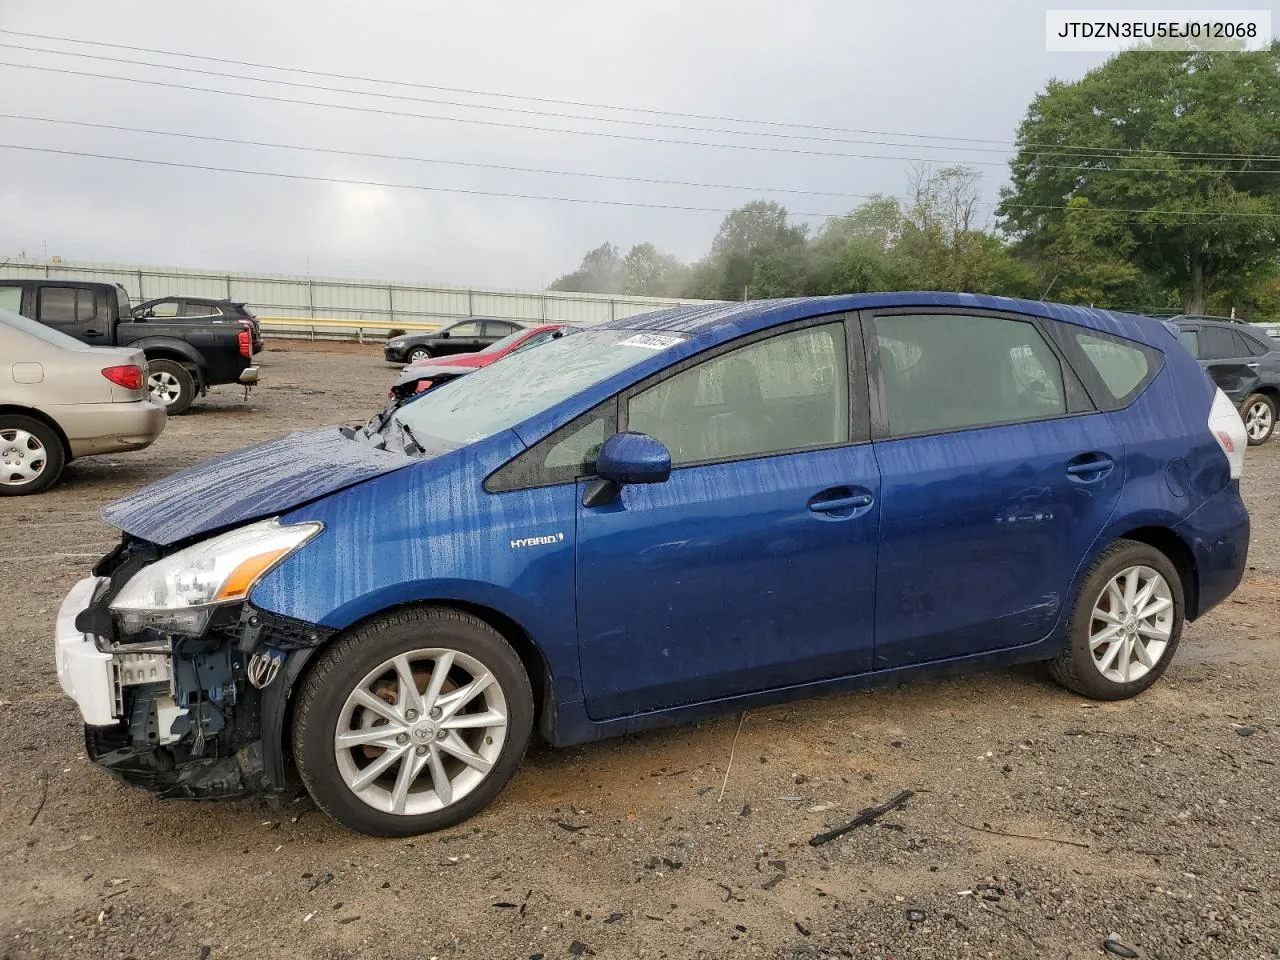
(939, 68)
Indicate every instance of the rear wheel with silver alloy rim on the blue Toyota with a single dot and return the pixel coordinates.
(1126, 625)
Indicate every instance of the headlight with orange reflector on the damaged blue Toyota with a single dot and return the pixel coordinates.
(180, 593)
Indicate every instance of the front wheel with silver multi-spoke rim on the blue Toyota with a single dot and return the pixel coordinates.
(413, 724)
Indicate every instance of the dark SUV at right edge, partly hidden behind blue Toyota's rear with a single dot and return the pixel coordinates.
(1245, 362)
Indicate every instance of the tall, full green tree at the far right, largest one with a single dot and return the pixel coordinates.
(1165, 138)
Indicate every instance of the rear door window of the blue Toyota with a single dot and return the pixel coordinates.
(956, 372)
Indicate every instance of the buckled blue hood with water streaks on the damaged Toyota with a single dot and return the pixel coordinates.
(250, 484)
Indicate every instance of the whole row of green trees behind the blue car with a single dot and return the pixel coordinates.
(1150, 185)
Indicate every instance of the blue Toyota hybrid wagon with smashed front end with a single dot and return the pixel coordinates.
(692, 511)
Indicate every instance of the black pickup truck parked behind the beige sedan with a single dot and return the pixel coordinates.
(184, 359)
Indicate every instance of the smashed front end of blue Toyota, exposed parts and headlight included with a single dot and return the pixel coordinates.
(176, 674)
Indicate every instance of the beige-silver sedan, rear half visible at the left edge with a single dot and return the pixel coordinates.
(62, 399)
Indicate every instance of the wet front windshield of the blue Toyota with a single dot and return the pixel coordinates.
(500, 396)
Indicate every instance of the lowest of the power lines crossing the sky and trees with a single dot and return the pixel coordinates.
(556, 199)
